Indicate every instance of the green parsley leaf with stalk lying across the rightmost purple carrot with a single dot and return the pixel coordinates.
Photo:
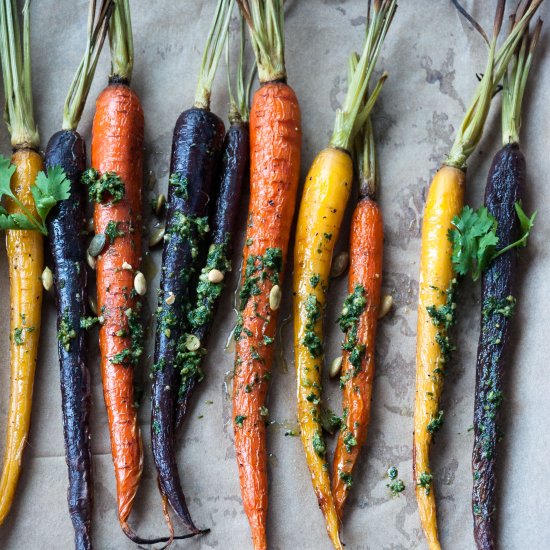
(474, 239)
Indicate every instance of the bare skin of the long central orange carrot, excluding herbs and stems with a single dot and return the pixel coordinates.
(275, 143)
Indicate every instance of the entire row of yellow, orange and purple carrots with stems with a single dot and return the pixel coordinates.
(45, 196)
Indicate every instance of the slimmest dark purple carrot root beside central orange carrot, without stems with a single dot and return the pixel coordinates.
(232, 174)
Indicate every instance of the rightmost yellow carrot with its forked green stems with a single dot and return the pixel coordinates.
(436, 307)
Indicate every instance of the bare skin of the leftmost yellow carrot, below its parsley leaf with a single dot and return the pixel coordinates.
(25, 264)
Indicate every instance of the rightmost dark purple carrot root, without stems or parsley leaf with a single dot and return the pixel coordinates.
(505, 187)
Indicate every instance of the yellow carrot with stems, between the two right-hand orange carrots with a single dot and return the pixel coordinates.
(326, 193)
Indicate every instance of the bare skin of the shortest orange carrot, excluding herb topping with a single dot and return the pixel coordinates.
(366, 253)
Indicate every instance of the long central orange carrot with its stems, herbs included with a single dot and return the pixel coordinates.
(275, 144)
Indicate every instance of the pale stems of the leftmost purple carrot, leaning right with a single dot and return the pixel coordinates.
(80, 86)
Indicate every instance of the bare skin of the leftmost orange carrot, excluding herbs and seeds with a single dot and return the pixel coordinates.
(117, 146)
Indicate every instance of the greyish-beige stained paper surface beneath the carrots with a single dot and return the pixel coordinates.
(432, 57)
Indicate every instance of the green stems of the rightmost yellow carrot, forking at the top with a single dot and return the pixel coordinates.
(471, 129)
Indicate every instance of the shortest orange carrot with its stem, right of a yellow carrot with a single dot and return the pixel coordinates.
(359, 320)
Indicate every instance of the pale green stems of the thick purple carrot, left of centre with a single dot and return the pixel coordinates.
(212, 52)
